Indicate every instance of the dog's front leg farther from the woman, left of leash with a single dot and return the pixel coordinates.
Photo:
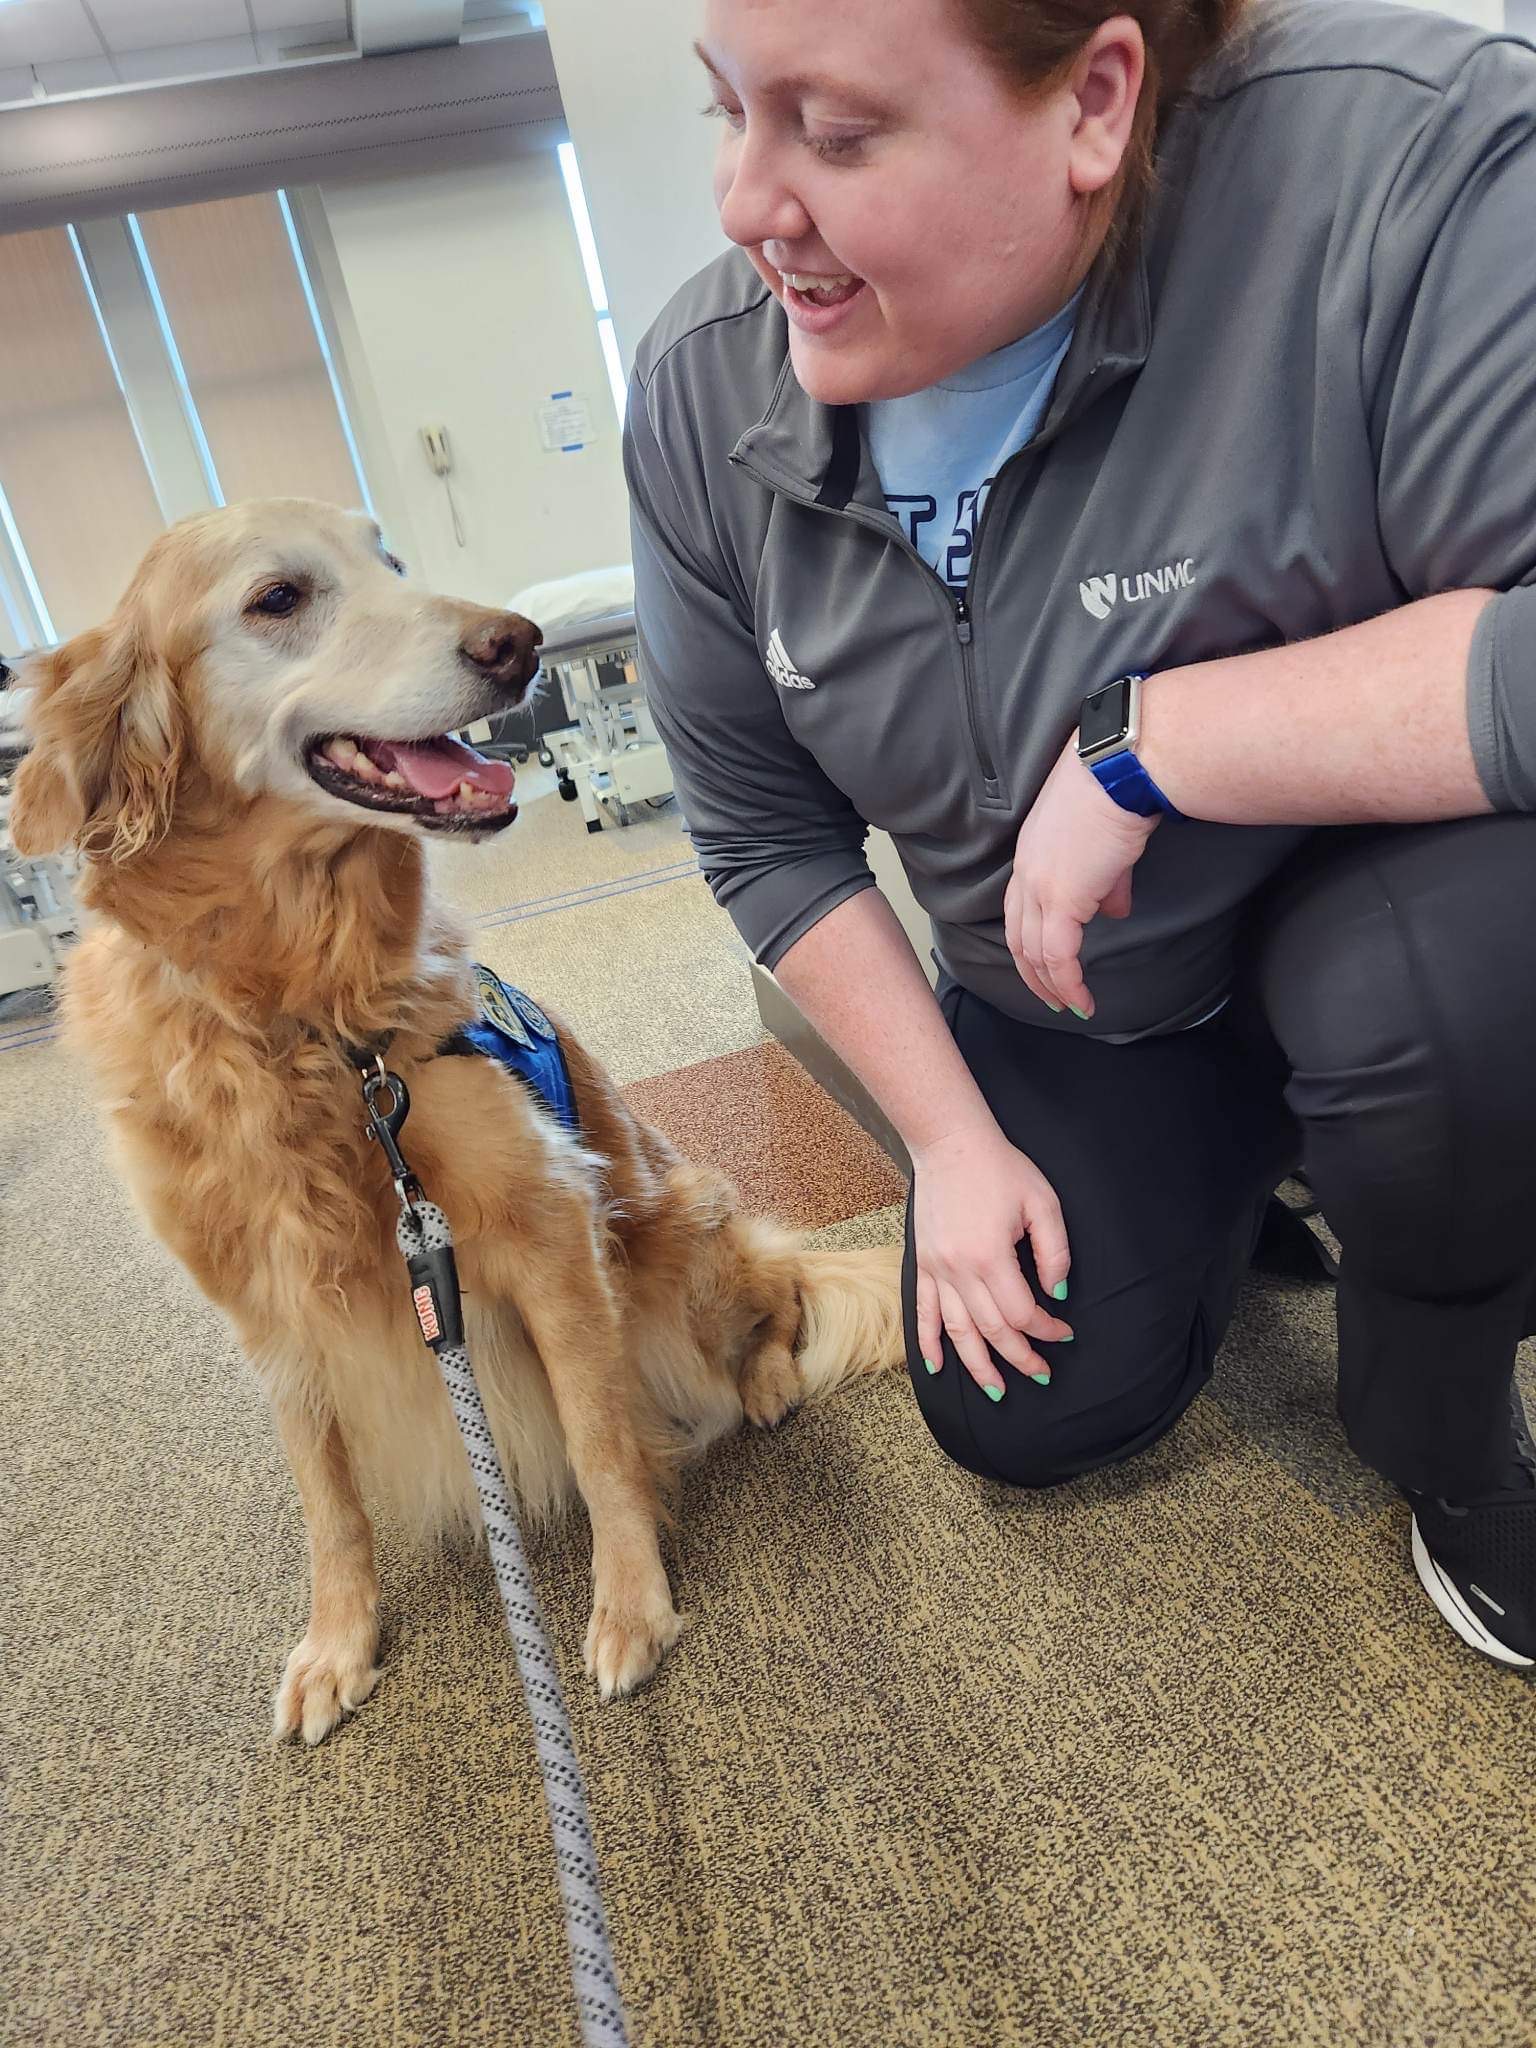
(333, 1670)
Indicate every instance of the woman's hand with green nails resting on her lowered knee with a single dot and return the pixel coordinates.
(974, 1199)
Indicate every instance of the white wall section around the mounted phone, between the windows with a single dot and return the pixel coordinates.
(466, 306)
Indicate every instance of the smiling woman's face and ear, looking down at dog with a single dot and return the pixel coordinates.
(845, 183)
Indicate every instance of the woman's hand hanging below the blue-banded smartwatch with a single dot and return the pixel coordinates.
(1072, 863)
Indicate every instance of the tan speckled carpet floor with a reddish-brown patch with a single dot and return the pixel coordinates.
(1177, 1756)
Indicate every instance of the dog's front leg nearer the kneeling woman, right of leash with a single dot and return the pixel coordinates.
(577, 1326)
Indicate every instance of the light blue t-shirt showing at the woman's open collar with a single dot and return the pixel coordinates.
(939, 452)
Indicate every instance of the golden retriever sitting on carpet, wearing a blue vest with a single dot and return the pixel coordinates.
(249, 757)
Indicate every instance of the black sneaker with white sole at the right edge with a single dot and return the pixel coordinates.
(1480, 1568)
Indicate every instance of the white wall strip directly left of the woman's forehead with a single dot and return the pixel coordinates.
(634, 93)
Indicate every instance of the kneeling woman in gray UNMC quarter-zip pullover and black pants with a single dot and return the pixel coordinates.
(1068, 347)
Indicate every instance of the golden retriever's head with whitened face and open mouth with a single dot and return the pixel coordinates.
(271, 650)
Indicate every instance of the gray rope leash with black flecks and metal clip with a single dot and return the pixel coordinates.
(427, 1246)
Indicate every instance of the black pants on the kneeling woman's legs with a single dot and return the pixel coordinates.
(1383, 1033)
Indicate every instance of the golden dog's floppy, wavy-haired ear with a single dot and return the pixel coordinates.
(108, 749)
